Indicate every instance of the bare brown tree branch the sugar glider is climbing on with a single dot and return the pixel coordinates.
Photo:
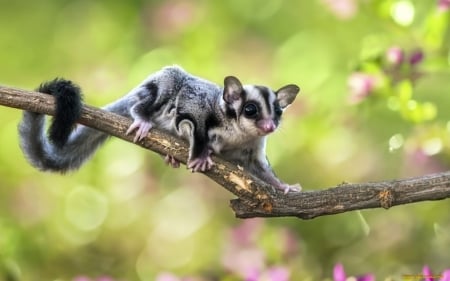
(255, 197)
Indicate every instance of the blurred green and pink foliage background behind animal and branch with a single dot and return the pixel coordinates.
(374, 105)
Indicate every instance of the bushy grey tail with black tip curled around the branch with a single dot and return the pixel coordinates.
(64, 148)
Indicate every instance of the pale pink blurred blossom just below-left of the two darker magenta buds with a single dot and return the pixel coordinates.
(361, 85)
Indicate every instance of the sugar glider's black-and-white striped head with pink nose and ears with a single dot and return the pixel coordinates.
(256, 109)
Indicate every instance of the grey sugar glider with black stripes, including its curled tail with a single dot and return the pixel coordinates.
(232, 122)
